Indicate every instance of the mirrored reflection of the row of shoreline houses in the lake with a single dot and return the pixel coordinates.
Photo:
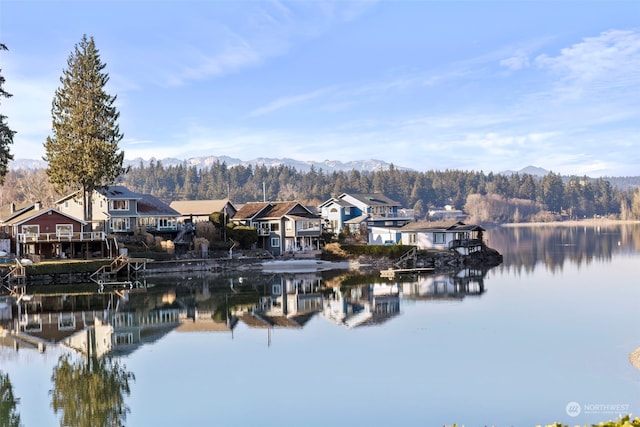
(119, 322)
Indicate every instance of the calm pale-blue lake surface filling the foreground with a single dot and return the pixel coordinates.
(514, 345)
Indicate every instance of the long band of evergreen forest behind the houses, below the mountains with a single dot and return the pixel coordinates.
(485, 197)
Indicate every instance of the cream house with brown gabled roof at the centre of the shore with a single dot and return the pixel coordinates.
(282, 226)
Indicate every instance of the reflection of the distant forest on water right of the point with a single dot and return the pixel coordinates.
(552, 246)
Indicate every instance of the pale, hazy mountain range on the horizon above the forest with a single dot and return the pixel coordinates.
(327, 166)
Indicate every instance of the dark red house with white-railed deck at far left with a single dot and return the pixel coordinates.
(49, 233)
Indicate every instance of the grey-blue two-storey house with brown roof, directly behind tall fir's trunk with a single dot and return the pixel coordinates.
(119, 210)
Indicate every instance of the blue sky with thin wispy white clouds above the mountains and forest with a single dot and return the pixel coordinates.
(439, 85)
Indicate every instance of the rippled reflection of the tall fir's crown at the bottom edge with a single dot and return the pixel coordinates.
(90, 393)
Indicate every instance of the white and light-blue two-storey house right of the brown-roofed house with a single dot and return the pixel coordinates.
(359, 212)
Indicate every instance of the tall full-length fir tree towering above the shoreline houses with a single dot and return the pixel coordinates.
(83, 152)
